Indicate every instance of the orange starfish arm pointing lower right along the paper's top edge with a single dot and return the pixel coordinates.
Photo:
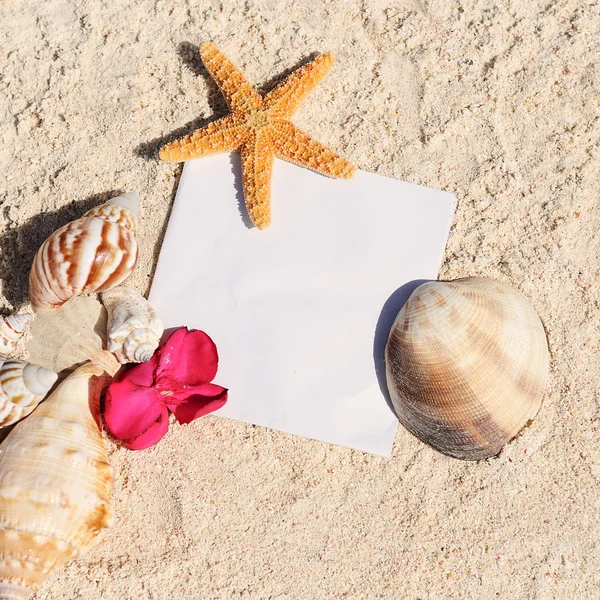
(295, 146)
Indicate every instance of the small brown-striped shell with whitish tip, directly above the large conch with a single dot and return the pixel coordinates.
(22, 387)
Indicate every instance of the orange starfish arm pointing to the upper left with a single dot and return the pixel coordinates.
(233, 85)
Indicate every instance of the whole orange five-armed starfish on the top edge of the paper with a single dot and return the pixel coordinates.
(259, 128)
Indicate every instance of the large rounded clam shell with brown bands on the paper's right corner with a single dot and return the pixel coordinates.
(466, 365)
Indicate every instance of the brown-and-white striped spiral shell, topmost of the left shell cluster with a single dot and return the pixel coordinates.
(91, 254)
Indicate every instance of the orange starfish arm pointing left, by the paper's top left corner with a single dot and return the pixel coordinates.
(220, 136)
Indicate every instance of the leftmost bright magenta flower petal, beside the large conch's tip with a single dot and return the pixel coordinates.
(129, 409)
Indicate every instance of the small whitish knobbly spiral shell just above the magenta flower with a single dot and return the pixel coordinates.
(134, 329)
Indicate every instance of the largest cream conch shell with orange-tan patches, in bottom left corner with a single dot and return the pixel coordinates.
(55, 483)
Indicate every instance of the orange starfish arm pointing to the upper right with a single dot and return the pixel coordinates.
(290, 93)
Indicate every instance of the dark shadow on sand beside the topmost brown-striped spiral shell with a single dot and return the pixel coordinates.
(19, 244)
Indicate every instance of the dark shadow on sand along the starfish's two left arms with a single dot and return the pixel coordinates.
(190, 56)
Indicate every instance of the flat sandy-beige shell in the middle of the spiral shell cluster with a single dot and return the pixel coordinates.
(70, 335)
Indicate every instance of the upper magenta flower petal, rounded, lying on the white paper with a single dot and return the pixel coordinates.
(188, 357)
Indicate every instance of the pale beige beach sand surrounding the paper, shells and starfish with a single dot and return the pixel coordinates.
(496, 101)
